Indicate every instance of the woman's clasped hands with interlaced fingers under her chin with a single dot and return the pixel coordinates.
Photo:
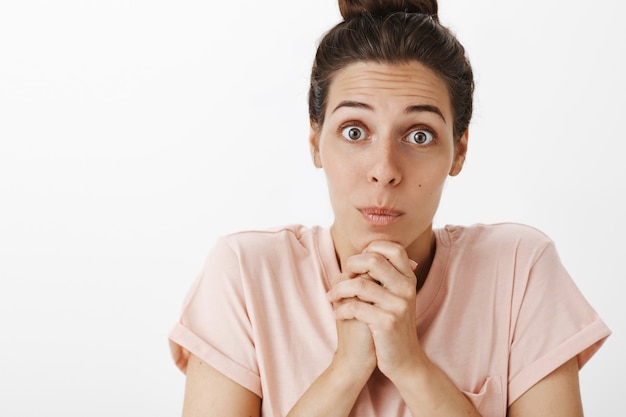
(374, 305)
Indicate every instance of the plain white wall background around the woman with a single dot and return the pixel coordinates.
(133, 133)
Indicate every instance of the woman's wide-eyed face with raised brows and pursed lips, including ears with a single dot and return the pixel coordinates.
(386, 147)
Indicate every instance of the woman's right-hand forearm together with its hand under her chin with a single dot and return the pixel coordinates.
(389, 311)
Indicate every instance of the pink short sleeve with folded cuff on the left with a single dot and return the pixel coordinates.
(214, 324)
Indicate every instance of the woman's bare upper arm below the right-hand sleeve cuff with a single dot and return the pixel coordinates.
(556, 395)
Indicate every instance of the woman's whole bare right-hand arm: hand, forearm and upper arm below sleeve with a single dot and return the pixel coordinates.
(426, 389)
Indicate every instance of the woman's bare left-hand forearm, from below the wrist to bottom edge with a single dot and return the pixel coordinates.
(332, 394)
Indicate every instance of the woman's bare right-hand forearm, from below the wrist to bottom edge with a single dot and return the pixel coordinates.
(428, 391)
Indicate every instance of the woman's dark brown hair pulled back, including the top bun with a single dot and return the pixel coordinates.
(393, 32)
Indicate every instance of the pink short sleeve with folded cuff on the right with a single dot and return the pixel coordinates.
(552, 323)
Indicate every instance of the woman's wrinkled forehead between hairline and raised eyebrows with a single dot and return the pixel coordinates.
(405, 84)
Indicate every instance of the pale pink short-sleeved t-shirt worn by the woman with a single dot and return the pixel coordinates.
(497, 313)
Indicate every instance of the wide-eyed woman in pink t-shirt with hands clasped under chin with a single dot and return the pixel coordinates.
(380, 315)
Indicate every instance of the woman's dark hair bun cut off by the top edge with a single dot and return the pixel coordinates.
(352, 8)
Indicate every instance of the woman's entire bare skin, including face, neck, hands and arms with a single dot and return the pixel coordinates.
(387, 149)
